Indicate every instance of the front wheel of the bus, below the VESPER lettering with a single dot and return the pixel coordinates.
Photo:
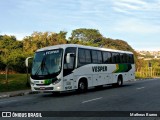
(82, 86)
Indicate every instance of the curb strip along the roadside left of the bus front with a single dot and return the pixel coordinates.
(18, 94)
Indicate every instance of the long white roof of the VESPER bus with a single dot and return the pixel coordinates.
(80, 46)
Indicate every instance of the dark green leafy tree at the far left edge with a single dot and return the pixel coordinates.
(10, 48)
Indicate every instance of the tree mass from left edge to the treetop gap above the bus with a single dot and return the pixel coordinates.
(13, 53)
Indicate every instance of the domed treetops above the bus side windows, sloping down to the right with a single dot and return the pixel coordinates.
(92, 37)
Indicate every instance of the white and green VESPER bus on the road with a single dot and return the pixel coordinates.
(67, 67)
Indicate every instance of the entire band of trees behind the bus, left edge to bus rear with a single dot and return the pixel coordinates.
(13, 53)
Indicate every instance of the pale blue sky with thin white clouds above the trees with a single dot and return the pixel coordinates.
(135, 21)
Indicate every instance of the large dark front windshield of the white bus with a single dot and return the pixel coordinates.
(47, 64)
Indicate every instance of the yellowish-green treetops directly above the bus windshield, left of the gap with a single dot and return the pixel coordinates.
(39, 40)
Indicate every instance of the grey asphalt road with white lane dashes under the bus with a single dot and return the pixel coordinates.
(143, 95)
